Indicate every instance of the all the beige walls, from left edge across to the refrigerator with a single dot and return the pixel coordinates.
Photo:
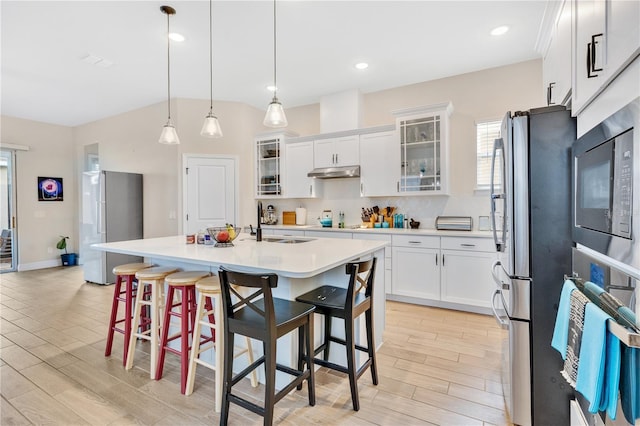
(128, 142)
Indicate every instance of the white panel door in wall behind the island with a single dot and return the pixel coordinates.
(210, 197)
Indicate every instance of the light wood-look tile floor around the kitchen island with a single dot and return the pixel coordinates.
(435, 367)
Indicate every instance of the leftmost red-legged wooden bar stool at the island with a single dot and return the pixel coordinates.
(127, 274)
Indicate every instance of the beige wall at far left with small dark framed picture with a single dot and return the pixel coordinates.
(40, 223)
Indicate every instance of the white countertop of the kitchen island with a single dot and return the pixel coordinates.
(301, 260)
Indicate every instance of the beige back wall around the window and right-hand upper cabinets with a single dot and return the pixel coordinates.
(486, 94)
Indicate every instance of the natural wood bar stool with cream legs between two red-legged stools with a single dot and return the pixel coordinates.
(153, 279)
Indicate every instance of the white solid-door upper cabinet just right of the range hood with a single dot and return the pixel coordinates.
(379, 164)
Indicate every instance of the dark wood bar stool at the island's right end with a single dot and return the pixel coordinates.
(348, 303)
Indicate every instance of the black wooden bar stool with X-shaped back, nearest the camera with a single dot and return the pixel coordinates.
(263, 317)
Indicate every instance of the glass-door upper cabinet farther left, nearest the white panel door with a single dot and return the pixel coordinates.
(269, 164)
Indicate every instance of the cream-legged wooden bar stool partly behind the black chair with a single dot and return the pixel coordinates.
(211, 316)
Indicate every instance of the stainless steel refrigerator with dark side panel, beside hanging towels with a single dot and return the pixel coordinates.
(531, 215)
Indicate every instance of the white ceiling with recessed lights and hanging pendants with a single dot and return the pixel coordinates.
(405, 42)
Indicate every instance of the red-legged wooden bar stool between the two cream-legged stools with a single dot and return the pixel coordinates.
(185, 284)
